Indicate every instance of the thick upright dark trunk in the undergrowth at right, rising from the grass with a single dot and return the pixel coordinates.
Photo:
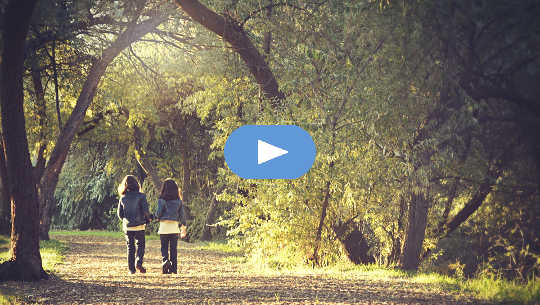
(416, 229)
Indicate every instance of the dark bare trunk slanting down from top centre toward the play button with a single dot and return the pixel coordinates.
(239, 41)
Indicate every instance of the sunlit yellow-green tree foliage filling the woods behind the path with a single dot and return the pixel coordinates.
(381, 88)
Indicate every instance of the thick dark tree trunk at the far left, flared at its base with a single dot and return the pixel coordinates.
(25, 262)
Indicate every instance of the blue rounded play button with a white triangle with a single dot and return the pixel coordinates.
(269, 151)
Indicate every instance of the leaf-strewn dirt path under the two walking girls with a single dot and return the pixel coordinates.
(95, 272)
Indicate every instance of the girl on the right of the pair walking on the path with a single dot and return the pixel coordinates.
(170, 213)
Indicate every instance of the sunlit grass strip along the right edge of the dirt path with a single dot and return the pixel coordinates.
(493, 290)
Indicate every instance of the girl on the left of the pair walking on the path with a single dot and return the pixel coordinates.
(133, 211)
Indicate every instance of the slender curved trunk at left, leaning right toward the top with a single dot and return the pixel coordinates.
(67, 134)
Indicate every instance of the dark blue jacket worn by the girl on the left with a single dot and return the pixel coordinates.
(134, 207)
